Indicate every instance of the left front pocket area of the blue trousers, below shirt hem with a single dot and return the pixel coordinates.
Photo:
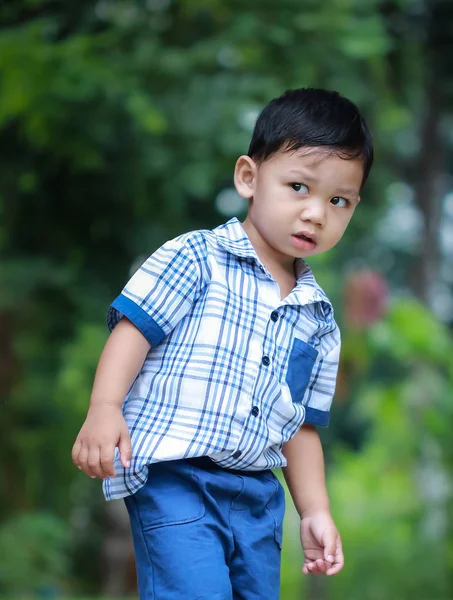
(171, 496)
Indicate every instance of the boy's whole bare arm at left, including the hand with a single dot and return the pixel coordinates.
(104, 427)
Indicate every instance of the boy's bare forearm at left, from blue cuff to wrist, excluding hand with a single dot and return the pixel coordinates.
(119, 365)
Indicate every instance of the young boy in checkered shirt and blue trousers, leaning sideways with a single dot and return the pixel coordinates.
(224, 351)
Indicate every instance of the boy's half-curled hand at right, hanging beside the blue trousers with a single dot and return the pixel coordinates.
(321, 544)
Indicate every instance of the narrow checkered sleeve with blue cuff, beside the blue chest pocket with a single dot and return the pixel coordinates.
(320, 391)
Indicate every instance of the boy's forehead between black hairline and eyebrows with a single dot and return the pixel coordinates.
(324, 164)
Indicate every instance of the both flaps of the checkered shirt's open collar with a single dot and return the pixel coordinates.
(233, 238)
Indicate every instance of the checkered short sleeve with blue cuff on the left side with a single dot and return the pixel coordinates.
(161, 292)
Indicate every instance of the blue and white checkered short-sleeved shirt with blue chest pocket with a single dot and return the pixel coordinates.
(234, 370)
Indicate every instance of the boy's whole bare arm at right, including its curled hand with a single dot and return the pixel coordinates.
(304, 475)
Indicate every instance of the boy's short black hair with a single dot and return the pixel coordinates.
(310, 117)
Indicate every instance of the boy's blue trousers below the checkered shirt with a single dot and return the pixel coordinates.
(204, 533)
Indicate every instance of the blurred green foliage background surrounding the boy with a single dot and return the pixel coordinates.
(120, 123)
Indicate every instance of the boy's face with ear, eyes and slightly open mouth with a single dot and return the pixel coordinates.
(300, 202)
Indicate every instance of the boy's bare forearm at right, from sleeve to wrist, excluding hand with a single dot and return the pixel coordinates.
(304, 474)
